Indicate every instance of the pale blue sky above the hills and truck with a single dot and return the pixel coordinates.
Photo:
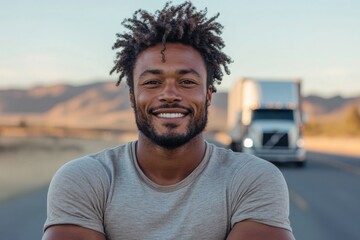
(51, 42)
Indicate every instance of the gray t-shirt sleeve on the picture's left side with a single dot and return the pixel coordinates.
(77, 195)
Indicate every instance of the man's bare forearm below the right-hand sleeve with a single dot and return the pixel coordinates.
(250, 230)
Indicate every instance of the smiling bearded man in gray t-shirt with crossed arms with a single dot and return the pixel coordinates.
(170, 183)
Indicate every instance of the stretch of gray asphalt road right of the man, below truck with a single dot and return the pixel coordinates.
(325, 198)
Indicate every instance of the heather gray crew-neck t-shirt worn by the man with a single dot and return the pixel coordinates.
(109, 193)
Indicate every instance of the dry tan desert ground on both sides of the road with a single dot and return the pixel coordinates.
(28, 163)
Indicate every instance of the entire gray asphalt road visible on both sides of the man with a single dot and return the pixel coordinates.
(324, 201)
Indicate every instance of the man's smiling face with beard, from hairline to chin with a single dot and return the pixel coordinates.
(170, 98)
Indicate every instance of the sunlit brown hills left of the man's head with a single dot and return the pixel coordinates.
(90, 105)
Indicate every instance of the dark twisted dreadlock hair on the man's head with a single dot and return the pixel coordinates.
(174, 24)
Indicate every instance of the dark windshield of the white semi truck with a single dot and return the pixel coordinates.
(280, 114)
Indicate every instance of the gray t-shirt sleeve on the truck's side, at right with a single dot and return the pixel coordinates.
(260, 194)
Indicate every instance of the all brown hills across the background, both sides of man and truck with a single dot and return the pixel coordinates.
(103, 105)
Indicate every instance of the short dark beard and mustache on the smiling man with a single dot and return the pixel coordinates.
(171, 140)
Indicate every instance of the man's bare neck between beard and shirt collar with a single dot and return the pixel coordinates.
(169, 166)
